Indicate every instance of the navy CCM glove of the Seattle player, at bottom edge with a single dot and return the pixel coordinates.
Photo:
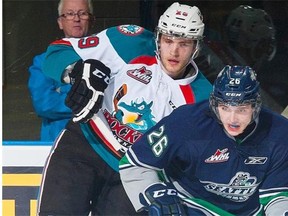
(161, 199)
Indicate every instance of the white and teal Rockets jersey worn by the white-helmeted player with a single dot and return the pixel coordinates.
(139, 93)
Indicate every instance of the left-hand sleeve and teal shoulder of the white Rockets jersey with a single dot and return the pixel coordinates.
(129, 42)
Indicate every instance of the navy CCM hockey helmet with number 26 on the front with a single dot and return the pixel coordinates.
(234, 86)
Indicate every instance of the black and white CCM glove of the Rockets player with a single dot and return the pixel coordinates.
(89, 79)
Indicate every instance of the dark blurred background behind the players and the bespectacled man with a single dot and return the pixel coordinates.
(30, 25)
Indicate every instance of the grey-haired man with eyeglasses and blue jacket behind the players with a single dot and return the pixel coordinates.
(48, 95)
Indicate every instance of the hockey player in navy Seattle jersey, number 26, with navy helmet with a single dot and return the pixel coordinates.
(223, 156)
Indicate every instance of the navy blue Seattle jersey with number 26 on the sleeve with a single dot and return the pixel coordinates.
(208, 167)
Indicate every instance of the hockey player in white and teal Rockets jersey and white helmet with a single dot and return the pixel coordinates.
(120, 89)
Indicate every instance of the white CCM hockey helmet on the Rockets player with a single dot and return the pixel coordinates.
(181, 21)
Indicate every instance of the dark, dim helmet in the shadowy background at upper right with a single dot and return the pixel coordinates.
(247, 27)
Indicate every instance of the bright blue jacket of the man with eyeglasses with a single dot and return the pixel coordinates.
(48, 98)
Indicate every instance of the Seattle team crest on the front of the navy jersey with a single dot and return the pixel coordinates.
(239, 189)
